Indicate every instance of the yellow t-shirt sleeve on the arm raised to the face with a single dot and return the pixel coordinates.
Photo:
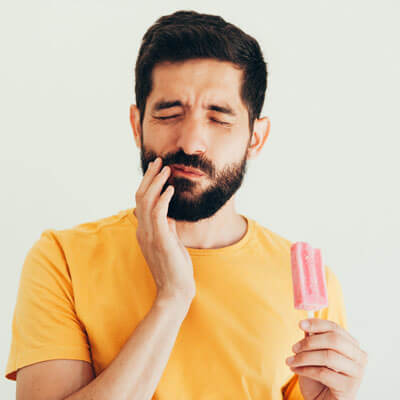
(45, 325)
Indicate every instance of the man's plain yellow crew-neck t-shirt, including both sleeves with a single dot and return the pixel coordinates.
(84, 290)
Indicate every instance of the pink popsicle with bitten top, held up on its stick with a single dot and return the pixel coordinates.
(308, 277)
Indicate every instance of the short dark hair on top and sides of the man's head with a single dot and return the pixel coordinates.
(186, 35)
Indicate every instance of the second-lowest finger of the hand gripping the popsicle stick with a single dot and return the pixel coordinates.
(327, 358)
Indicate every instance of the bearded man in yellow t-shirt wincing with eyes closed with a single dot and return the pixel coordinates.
(180, 297)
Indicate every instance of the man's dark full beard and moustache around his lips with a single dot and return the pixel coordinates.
(189, 201)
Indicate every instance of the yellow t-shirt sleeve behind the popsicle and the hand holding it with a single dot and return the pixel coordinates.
(334, 312)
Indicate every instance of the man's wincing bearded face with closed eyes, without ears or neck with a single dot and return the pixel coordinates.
(193, 137)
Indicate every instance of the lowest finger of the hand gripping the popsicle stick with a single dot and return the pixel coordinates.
(332, 379)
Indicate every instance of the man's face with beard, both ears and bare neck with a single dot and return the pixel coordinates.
(204, 209)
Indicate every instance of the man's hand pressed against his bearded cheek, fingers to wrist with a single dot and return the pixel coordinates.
(168, 259)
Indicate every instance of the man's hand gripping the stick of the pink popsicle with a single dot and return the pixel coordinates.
(330, 362)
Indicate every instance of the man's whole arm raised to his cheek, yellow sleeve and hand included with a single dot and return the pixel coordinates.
(137, 369)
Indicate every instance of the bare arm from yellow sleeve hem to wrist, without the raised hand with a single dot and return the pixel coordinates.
(133, 374)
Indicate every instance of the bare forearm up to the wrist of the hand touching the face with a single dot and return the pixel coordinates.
(136, 370)
